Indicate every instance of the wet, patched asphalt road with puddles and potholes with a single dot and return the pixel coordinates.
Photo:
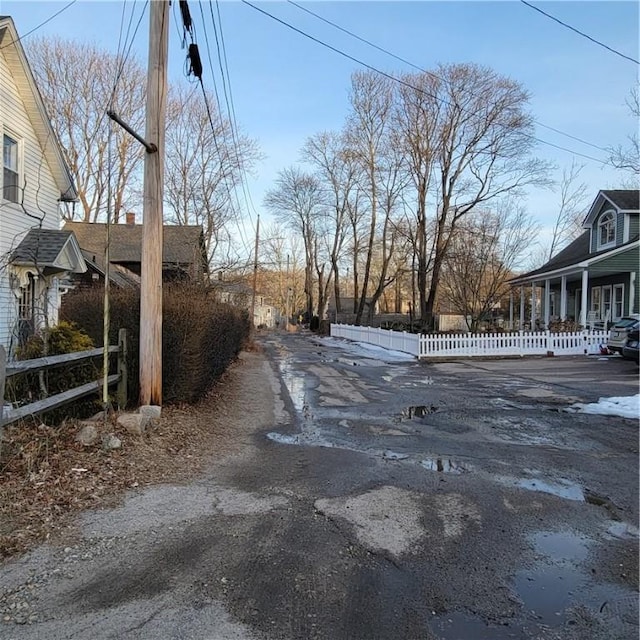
(375, 498)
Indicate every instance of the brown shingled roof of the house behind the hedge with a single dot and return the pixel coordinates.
(180, 244)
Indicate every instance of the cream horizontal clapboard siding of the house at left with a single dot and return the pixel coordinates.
(40, 196)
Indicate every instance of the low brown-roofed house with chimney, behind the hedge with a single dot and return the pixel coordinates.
(183, 252)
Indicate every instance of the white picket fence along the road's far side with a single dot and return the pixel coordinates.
(468, 345)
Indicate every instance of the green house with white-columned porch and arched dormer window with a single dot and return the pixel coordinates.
(594, 280)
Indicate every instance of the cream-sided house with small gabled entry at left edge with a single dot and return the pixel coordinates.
(34, 254)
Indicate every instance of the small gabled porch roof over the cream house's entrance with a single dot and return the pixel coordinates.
(49, 248)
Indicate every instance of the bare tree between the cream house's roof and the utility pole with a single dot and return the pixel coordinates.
(78, 83)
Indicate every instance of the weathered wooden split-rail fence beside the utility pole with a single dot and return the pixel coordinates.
(9, 414)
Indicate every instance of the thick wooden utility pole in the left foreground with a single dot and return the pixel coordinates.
(151, 275)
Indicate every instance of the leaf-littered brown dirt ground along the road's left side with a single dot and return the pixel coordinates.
(46, 476)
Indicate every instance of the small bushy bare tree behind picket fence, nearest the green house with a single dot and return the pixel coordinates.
(484, 251)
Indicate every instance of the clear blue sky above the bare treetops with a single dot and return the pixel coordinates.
(286, 87)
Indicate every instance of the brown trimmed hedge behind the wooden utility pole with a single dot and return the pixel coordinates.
(200, 337)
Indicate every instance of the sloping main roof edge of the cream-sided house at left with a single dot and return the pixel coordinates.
(11, 49)
